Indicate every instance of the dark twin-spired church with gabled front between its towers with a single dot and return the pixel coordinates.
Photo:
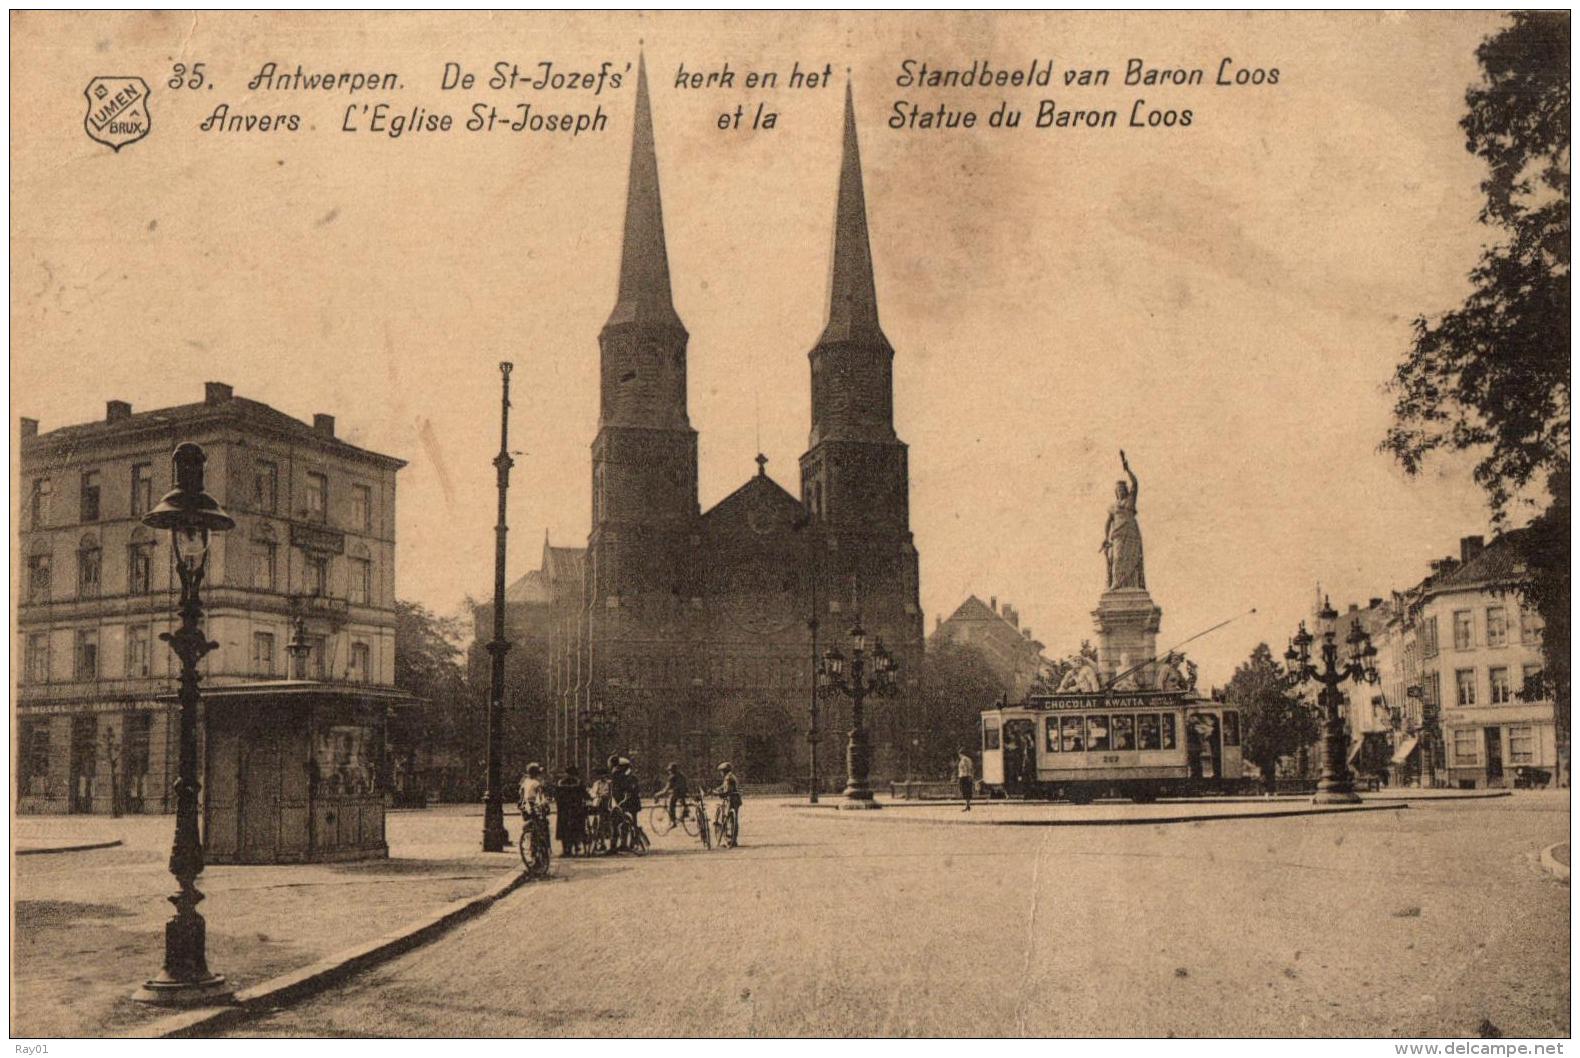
(693, 636)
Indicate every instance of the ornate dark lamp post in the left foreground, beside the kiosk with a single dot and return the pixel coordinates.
(190, 514)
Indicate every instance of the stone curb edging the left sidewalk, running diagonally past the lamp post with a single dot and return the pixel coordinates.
(315, 978)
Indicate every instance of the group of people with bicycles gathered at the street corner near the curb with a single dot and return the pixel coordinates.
(584, 812)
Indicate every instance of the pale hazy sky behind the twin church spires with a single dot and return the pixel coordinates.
(1225, 301)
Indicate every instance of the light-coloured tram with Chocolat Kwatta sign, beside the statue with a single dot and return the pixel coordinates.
(1142, 745)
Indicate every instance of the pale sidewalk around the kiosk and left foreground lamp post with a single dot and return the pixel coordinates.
(89, 926)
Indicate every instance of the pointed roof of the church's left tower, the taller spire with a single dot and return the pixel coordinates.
(644, 258)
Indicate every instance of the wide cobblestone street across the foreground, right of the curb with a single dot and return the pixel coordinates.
(1429, 921)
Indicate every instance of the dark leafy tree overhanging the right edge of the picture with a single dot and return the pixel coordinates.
(1492, 377)
